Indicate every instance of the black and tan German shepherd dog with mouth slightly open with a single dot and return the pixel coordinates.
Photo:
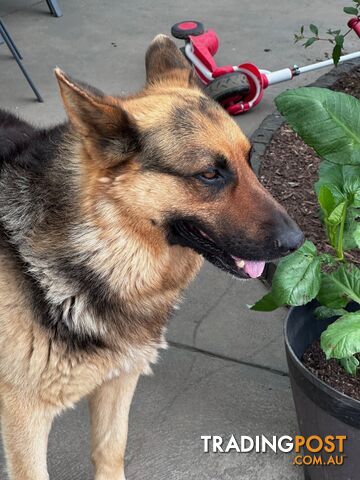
(104, 220)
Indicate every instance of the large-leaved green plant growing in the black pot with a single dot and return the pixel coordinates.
(329, 122)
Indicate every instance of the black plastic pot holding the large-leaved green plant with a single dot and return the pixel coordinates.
(321, 410)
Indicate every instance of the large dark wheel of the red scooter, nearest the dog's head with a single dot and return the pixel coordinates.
(231, 87)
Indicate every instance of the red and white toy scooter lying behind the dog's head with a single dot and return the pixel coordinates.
(238, 88)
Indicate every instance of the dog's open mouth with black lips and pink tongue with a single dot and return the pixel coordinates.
(187, 233)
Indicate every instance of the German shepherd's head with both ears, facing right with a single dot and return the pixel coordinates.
(177, 165)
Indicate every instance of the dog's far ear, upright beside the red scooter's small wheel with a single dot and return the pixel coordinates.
(166, 64)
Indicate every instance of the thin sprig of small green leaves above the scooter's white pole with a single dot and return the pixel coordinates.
(334, 37)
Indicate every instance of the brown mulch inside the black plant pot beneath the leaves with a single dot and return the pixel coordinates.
(331, 372)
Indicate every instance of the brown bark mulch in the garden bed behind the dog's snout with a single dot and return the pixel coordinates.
(289, 170)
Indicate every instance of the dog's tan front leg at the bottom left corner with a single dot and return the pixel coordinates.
(25, 430)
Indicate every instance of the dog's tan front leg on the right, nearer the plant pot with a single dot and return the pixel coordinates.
(109, 410)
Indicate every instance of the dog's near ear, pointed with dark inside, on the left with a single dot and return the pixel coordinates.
(103, 125)
